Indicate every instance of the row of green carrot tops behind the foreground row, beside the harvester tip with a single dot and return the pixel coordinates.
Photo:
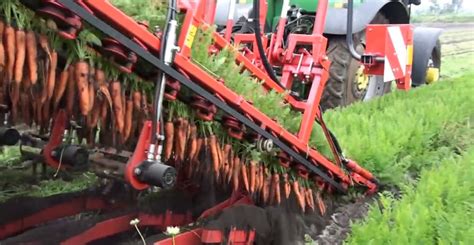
(387, 135)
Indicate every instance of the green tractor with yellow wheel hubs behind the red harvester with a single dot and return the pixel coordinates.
(347, 82)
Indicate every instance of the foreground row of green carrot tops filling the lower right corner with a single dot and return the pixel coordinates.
(437, 210)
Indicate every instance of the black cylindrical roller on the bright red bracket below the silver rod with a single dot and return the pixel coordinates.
(156, 174)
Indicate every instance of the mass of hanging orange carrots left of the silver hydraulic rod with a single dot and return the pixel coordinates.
(42, 73)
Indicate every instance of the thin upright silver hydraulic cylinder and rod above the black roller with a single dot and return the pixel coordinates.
(170, 15)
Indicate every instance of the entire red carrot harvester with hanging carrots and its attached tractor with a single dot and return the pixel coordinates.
(211, 122)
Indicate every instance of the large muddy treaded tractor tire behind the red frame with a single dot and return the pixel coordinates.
(341, 88)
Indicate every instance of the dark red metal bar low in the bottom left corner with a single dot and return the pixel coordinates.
(71, 207)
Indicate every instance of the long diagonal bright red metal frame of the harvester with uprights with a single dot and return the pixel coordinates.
(313, 66)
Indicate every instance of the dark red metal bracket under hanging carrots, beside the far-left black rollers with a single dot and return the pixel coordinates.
(55, 139)
